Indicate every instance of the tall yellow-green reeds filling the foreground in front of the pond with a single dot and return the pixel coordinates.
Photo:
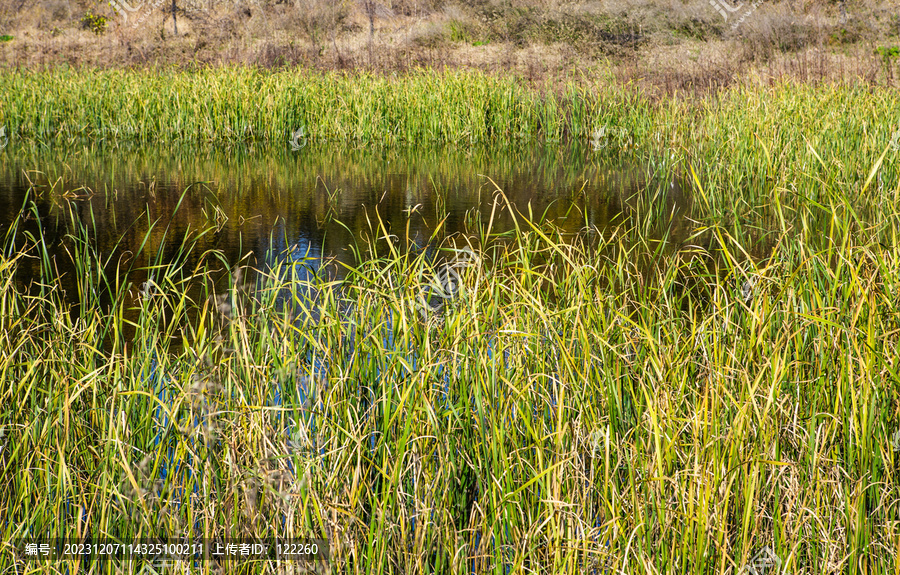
(576, 407)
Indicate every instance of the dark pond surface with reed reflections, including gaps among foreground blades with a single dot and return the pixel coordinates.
(138, 209)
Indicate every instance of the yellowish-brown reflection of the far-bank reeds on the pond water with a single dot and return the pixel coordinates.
(319, 186)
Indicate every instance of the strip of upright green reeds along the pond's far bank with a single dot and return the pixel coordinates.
(240, 104)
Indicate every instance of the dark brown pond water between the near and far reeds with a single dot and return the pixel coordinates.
(320, 201)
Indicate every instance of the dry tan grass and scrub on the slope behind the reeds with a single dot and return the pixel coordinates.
(668, 44)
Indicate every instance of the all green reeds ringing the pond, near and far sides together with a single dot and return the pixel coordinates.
(602, 402)
